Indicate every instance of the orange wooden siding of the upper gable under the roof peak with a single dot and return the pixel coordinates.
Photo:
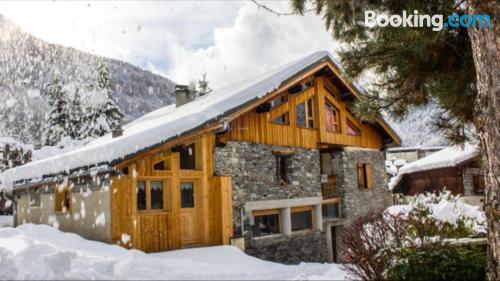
(257, 127)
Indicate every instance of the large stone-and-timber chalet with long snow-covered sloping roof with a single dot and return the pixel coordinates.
(274, 164)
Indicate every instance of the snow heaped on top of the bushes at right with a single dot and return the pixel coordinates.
(445, 208)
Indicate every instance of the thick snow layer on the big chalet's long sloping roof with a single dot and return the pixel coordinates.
(169, 122)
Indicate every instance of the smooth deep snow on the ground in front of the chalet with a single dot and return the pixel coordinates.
(42, 252)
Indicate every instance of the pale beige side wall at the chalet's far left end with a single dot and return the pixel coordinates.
(90, 214)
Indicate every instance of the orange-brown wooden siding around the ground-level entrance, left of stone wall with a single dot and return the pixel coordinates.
(161, 230)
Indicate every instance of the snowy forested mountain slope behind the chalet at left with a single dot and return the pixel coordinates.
(28, 64)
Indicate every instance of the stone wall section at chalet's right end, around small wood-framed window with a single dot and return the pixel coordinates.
(355, 201)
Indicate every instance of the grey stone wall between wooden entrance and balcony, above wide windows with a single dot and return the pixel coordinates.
(252, 168)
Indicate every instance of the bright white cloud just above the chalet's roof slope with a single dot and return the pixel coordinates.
(257, 40)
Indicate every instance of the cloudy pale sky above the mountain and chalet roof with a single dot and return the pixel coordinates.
(181, 40)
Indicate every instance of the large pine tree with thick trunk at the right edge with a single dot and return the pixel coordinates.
(456, 67)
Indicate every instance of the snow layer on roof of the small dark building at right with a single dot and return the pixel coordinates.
(451, 156)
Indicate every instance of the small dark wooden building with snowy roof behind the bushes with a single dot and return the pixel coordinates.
(456, 168)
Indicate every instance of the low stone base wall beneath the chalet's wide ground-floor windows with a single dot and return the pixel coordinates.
(310, 247)
